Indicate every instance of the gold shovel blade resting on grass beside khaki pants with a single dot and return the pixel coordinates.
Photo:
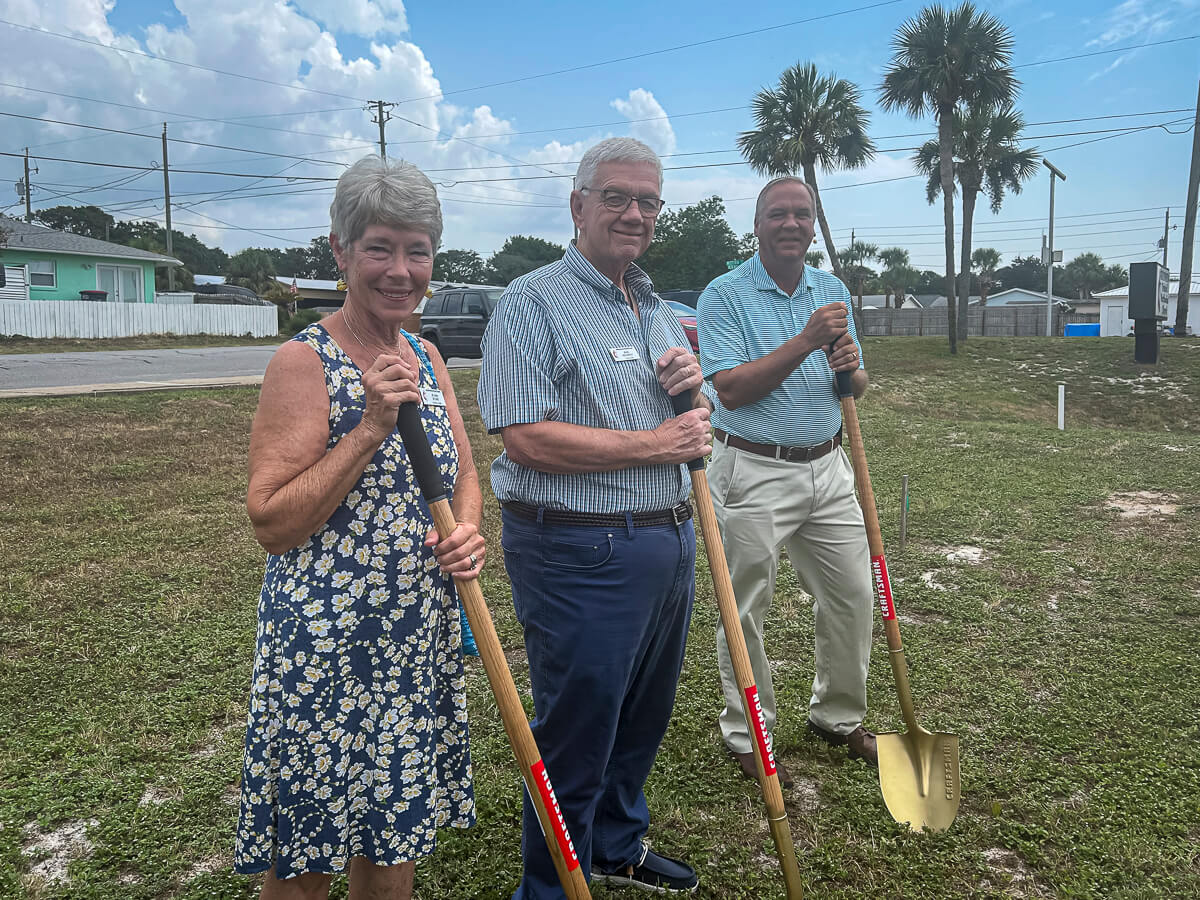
(920, 778)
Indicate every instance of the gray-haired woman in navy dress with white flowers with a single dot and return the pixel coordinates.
(357, 746)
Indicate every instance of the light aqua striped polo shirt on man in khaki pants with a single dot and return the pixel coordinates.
(743, 316)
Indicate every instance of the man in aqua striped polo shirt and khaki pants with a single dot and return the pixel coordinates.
(772, 334)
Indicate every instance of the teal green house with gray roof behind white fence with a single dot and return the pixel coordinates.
(58, 266)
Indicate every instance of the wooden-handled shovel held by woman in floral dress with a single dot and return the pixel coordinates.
(533, 771)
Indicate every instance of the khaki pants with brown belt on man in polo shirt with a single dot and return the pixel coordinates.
(764, 506)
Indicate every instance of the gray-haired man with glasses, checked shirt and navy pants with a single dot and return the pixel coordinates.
(580, 358)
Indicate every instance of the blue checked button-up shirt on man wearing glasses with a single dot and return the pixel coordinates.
(555, 351)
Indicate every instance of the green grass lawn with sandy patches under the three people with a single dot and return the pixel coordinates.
(1053, 632)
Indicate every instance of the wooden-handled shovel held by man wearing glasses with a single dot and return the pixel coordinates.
(765, 760)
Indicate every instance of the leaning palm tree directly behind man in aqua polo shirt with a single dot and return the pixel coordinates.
(806, 122)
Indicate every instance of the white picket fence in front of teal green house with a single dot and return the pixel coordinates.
(85, 319)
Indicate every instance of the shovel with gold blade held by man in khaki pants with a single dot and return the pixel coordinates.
(919, 770)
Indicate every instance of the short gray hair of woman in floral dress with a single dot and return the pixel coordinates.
(388, 193)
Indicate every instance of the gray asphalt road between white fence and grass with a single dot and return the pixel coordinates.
(64, 374)
